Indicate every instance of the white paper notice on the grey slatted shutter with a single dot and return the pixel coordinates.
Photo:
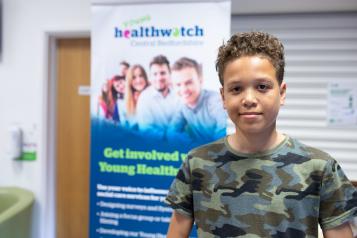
(342, 103)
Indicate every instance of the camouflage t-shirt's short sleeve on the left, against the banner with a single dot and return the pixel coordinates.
(180, 193)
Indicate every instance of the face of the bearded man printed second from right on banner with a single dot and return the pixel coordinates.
(160, 76)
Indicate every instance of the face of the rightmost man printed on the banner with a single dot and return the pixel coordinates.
(187, 84)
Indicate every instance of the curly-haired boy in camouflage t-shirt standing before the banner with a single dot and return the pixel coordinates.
(258, 182)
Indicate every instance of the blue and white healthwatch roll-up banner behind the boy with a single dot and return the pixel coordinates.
(154, 96)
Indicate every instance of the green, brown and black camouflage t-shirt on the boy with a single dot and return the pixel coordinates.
(284, 192)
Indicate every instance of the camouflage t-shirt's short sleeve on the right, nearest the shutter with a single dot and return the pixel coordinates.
(338, 197)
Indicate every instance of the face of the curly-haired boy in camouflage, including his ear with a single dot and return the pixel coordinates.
(251, 94)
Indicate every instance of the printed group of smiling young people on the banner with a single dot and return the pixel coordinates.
(165, 102)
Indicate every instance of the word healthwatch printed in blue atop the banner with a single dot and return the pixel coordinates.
(152, 31)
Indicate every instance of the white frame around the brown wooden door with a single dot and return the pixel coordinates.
(48, 212)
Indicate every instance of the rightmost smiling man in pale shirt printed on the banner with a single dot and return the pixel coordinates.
(199, 118)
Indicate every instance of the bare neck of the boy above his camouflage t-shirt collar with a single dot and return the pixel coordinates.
(253, 143)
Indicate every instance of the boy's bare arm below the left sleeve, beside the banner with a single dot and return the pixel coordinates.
(180, 226)
